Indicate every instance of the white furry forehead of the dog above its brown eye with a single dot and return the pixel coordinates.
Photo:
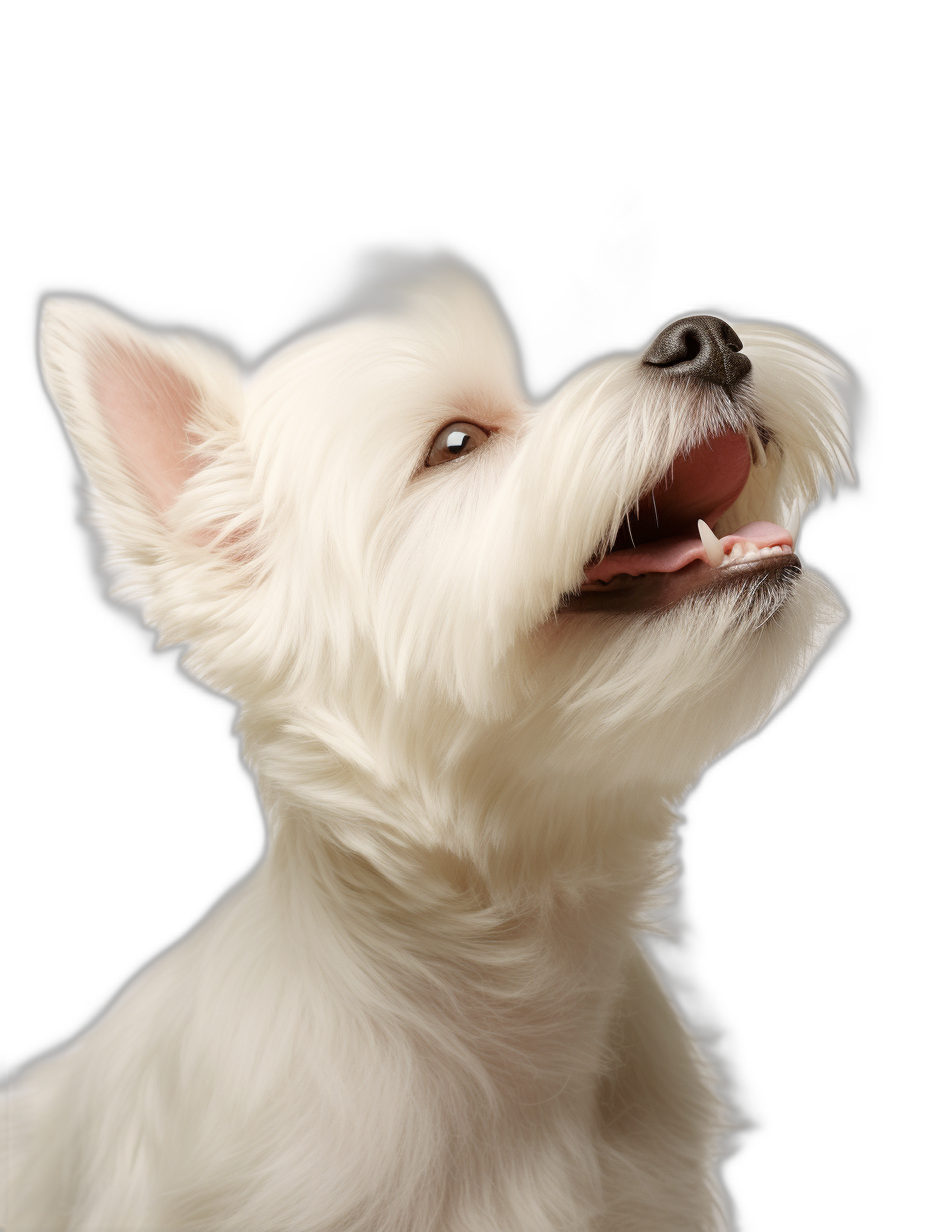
(384, 378)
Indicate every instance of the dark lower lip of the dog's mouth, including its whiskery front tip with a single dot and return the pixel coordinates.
(770, 581)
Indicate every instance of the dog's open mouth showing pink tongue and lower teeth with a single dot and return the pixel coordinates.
(669, 549)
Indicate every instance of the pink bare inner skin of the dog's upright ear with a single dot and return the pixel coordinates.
(149, 407)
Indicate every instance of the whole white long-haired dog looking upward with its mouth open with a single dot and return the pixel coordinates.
(480, 645)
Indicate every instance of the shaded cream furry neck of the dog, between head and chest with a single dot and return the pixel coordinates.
(528, 969)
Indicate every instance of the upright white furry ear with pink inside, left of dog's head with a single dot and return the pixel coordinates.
(141, 408)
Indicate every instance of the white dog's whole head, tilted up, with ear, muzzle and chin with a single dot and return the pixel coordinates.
(438, 599)
